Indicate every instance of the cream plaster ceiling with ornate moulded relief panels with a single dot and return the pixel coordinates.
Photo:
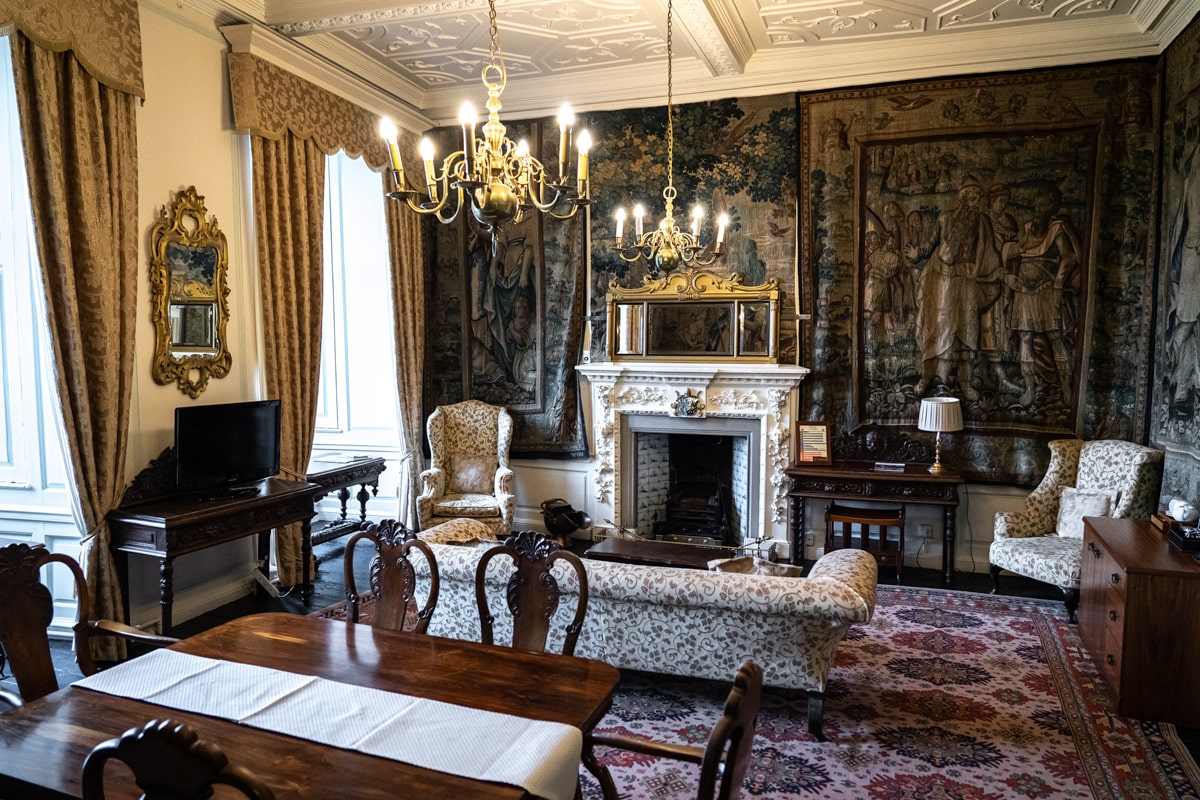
(611, 53)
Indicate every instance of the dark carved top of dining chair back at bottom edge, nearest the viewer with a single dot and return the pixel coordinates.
(170, 762)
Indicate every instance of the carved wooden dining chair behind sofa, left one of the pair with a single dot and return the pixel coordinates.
(392, 576)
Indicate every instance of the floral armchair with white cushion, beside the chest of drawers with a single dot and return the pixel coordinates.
(1045, 540)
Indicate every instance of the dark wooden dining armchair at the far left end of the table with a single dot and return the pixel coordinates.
(27, 610)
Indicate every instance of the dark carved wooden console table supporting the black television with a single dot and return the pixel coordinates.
(172, 527)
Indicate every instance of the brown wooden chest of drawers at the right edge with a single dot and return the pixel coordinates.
(1139, 618)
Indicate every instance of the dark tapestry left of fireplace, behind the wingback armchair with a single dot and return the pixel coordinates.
(506, 320)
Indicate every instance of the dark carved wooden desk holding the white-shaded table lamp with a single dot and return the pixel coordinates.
(859, 480)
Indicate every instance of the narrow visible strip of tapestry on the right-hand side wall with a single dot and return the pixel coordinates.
(1177, 404)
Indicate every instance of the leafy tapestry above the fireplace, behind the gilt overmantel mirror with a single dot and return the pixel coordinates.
(733, 157)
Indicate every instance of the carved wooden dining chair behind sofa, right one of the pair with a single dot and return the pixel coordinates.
(532, 592)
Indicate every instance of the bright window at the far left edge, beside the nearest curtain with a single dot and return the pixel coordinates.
(35, 502)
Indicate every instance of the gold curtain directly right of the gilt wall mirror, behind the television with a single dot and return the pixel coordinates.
(290, 199)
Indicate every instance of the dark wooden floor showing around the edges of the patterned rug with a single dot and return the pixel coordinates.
(329, 588)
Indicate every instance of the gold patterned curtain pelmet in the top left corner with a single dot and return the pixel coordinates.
(105, 37)
